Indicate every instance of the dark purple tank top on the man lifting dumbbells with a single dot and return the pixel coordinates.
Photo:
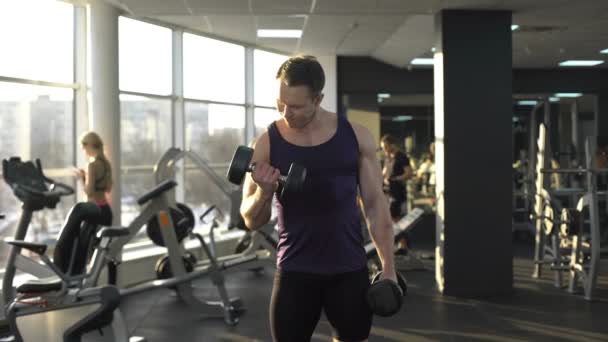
(320, 227)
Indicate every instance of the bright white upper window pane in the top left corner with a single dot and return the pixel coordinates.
(37, 40)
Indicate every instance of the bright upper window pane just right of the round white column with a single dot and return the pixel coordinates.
(145, 57)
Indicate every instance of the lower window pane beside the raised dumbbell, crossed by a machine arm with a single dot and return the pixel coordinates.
(212, 131)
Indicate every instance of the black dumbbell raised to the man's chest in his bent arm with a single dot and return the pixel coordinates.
(241, 164)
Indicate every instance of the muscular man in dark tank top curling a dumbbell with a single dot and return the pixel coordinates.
(321, 264)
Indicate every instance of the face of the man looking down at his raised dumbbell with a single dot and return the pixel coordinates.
(296, 104)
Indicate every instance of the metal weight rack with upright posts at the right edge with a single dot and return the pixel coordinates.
(582, 259)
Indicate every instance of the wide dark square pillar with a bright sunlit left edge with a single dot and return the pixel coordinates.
(473, 118)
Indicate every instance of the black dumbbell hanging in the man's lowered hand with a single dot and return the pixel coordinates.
(385, 297)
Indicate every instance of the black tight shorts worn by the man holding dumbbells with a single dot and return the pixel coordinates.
(298, 298)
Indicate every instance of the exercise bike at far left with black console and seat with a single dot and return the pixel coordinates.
(58, 307)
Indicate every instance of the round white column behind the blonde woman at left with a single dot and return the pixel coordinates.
(105, 114)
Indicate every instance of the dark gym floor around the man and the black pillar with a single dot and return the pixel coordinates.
(536, 311)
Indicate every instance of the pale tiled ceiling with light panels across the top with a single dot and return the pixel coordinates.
(379, 28)
